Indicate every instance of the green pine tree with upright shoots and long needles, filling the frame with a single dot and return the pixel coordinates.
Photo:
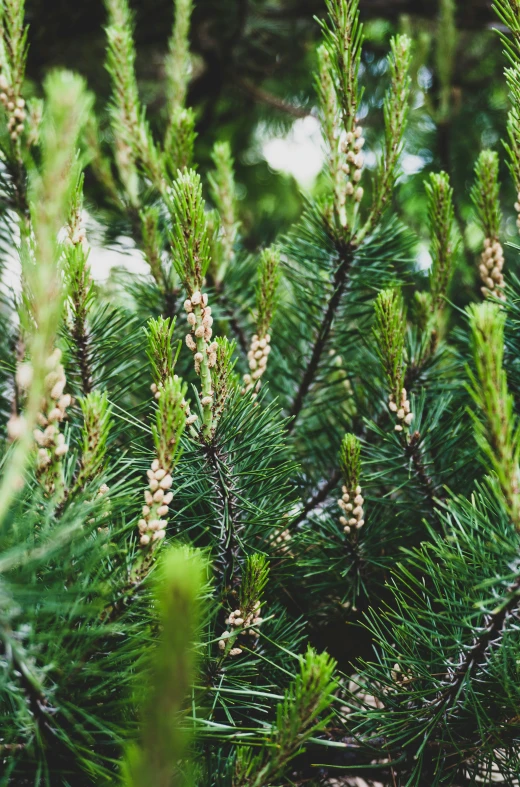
(212, 471)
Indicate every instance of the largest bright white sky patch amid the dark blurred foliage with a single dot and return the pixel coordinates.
(300, 152)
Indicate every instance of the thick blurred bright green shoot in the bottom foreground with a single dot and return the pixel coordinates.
(179, 585)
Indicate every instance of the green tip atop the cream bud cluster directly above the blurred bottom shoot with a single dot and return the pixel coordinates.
(170, 420)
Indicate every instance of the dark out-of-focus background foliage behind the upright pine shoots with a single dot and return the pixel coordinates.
(252, 83)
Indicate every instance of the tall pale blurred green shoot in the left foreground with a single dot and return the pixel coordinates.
(51, 188)
